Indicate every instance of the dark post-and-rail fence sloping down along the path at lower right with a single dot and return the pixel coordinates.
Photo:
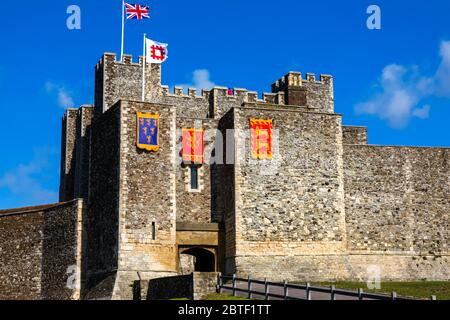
(246, 286)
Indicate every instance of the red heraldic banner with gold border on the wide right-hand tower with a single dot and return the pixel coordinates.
(261, 138)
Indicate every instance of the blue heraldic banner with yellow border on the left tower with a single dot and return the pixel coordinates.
(147, 131)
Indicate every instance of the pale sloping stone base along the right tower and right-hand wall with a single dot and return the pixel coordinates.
(345, 267)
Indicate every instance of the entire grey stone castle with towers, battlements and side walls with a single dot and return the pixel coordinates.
(326, 206)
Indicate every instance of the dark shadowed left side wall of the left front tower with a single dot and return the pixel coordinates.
(103, 219)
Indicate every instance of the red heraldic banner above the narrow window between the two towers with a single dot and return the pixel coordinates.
(193, 146)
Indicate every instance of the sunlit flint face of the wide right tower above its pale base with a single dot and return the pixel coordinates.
(298, 195)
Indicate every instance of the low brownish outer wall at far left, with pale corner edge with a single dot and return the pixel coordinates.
(40, 250)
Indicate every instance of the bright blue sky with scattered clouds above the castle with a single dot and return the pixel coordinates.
(394, 80)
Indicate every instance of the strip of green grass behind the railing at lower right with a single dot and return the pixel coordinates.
(416, 289)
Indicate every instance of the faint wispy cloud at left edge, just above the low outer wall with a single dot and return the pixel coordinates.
(24, 181)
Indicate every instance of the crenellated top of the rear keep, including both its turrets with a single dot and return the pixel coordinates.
(122, 79)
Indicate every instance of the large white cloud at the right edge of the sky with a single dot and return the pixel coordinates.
(404, 88)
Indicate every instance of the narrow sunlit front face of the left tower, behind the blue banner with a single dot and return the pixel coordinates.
(147, 195)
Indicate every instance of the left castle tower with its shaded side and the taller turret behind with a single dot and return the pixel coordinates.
(132, 205)
